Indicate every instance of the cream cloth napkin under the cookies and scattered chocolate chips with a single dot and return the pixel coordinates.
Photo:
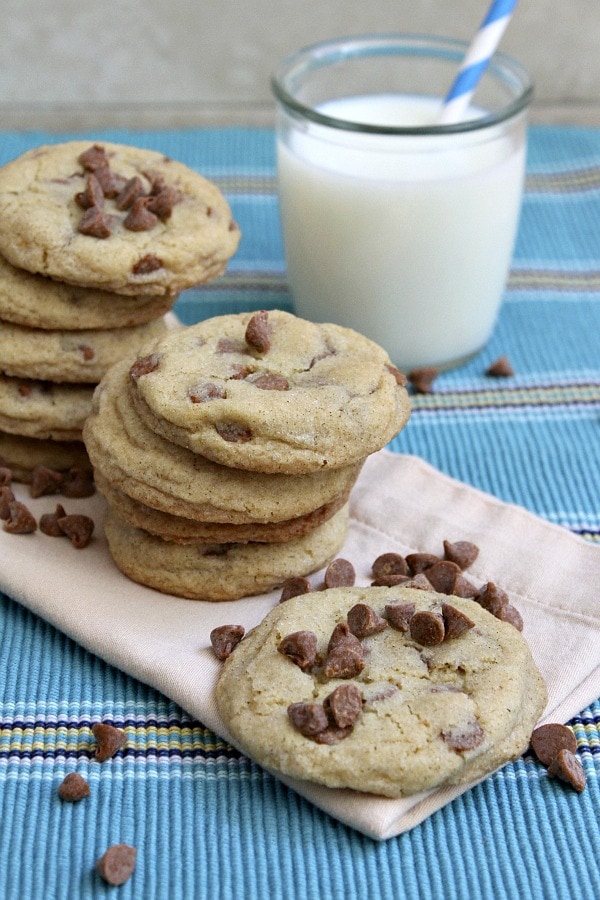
(399, 503)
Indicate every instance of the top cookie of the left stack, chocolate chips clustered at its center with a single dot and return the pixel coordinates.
(113, 217)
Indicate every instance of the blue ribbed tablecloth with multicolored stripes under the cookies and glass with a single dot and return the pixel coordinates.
(206, 821)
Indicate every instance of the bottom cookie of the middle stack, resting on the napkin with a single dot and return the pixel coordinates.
(220, 571)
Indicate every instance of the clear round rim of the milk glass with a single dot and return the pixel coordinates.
(340, 49)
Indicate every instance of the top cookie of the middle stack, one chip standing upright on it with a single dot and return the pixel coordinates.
(271, 393)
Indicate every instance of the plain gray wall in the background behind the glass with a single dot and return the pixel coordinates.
(146, 62)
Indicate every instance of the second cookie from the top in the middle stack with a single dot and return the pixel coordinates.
(174, 480)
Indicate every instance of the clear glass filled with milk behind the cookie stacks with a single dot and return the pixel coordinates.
(393, 225)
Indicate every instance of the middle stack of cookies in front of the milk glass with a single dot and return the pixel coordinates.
(227, 450)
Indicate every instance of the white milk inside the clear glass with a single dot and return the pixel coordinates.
(405, 238)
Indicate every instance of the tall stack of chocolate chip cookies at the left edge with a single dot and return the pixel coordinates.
(96, 242)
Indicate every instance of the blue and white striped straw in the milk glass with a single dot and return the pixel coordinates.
(476, 60)
